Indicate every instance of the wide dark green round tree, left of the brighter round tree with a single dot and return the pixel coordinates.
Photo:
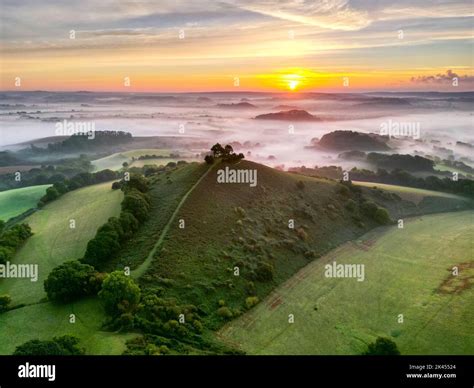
(70, 281)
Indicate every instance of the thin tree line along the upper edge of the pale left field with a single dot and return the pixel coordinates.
(80, 180)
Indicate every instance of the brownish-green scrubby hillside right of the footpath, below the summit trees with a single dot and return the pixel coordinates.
(234, 225)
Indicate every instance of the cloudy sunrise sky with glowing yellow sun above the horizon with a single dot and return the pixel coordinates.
(236, 45)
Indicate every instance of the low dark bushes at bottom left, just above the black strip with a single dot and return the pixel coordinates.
(66, 345)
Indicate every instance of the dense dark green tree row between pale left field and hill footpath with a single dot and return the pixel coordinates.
(117, 230)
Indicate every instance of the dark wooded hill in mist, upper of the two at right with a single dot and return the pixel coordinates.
(352, 141)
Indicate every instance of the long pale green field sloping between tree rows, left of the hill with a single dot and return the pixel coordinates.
(54, 242)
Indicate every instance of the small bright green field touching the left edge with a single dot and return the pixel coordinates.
(15, 202)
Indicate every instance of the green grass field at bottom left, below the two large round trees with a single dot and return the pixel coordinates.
(46, 320)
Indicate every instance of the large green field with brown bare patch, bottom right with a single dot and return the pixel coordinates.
(407, 271)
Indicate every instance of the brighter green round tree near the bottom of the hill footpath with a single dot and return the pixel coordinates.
(120, 294)
